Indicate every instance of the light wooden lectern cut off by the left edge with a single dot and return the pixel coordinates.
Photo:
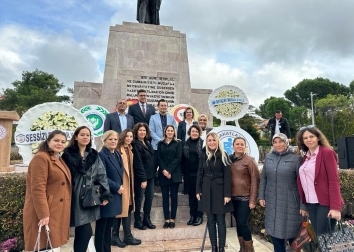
(6, 119)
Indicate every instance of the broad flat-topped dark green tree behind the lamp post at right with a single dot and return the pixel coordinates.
(300, 94)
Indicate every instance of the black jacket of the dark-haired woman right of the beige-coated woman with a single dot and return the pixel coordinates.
(143, 161)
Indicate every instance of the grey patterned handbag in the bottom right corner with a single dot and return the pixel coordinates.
(341, 240)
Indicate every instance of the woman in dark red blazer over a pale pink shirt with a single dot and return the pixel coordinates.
(318, 180)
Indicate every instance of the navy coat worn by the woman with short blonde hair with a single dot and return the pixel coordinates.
(114, 172)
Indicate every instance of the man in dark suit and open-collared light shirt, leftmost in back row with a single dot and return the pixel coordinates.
(119, 120)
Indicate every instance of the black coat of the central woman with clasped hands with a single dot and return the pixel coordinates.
(170, 157)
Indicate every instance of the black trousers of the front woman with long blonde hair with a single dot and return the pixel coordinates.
(219, 220)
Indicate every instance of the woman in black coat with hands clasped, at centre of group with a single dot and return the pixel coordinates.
(169, 152)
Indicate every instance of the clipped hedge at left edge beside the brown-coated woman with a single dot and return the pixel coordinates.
(12, 198)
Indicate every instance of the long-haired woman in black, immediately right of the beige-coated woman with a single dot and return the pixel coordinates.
(144, 171)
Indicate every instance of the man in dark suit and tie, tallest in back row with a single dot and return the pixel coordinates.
(141, 112)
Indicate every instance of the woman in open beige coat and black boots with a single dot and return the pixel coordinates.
(125, 149)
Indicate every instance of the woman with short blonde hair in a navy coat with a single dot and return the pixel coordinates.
(112, 161)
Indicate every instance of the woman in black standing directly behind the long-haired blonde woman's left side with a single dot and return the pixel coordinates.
(191, 154)
